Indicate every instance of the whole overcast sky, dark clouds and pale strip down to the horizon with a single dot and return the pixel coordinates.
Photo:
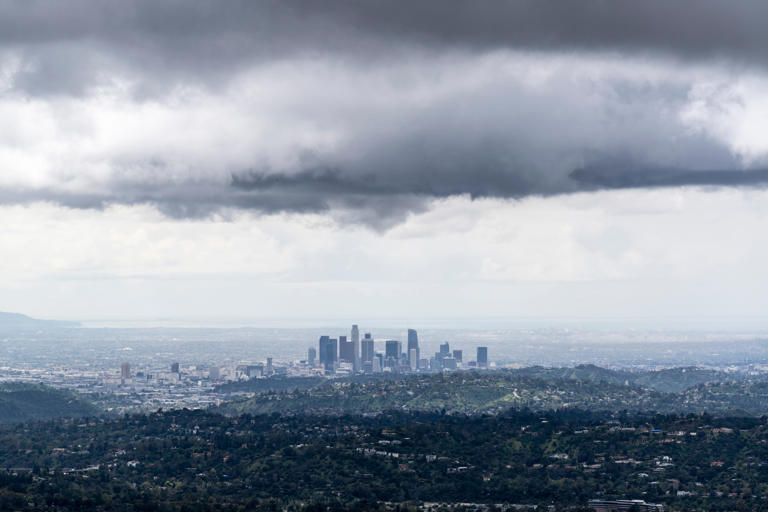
(370, 158)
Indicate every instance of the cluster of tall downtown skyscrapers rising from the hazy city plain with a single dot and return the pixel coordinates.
(360, 355)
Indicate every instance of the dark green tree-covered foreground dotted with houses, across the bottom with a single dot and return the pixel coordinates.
(194, 460)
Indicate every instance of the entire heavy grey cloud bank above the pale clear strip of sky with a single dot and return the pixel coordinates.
(369, 110)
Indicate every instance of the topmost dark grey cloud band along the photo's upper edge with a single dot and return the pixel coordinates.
(71, 44)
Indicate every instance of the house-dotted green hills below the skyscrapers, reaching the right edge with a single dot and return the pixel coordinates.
(495, 392)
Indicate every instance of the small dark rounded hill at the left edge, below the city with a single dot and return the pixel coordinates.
(24, 402)
